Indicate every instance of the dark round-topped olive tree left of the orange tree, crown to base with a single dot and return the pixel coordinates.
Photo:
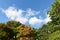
(11, 27)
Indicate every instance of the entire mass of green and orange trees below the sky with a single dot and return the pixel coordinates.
(13, 30)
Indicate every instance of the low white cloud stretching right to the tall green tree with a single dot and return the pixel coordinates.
(35, 20)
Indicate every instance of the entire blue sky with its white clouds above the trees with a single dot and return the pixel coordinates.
(28, 12)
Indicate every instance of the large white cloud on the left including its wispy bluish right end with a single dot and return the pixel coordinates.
(17, 14)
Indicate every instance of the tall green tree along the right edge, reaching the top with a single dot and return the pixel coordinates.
(55, 23)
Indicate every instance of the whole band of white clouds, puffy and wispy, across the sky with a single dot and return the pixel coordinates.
(17, 14)
